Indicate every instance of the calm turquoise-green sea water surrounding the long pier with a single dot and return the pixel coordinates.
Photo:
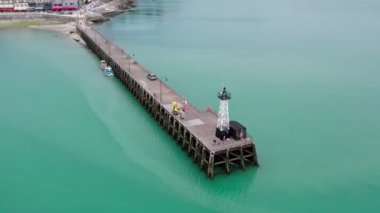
(304, 77)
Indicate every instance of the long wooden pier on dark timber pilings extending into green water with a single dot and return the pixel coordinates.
(195, 134)
